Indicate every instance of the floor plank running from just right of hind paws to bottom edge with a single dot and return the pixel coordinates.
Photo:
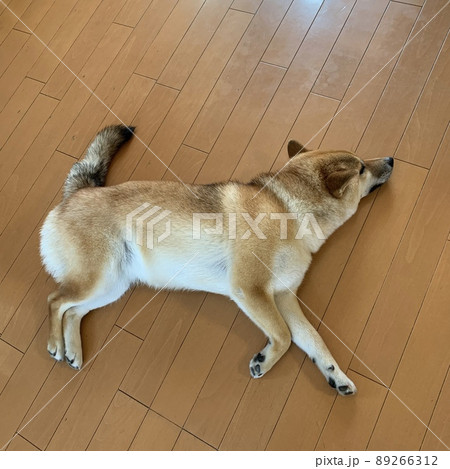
(98, 389)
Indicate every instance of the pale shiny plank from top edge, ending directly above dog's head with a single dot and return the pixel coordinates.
(347, 53)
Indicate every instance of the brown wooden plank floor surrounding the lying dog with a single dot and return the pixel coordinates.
(216, 88)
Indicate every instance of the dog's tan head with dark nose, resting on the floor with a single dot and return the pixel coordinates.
(342, 173)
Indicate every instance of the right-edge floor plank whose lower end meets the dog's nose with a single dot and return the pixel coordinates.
(424, 133)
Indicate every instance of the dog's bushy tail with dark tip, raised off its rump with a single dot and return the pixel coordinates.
(92, 169)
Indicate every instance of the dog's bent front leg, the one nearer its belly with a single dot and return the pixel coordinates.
(260, 307)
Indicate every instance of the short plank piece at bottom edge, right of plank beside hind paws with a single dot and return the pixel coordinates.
(119, 424)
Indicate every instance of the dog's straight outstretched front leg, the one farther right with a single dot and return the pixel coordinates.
(308, 339)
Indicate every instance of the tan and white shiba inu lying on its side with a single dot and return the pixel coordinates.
(235, 239)
